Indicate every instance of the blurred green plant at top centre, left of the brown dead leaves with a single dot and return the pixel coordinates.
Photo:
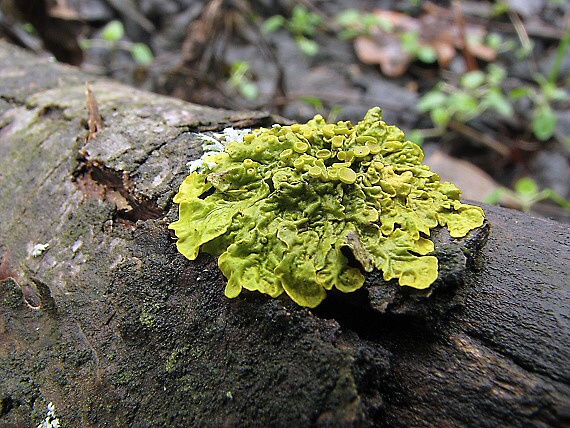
(303, 26)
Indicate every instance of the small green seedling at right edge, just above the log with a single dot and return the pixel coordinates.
(526, 194)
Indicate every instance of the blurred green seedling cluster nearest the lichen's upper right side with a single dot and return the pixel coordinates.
(476, 93)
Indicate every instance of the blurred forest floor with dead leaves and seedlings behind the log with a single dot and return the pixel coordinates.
(483, 86)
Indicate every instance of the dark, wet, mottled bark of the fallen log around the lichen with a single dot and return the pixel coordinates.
(116, 328)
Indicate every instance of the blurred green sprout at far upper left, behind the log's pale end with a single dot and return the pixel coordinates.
(112, 39)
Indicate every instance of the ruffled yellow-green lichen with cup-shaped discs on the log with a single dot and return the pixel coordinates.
(279, 207)
